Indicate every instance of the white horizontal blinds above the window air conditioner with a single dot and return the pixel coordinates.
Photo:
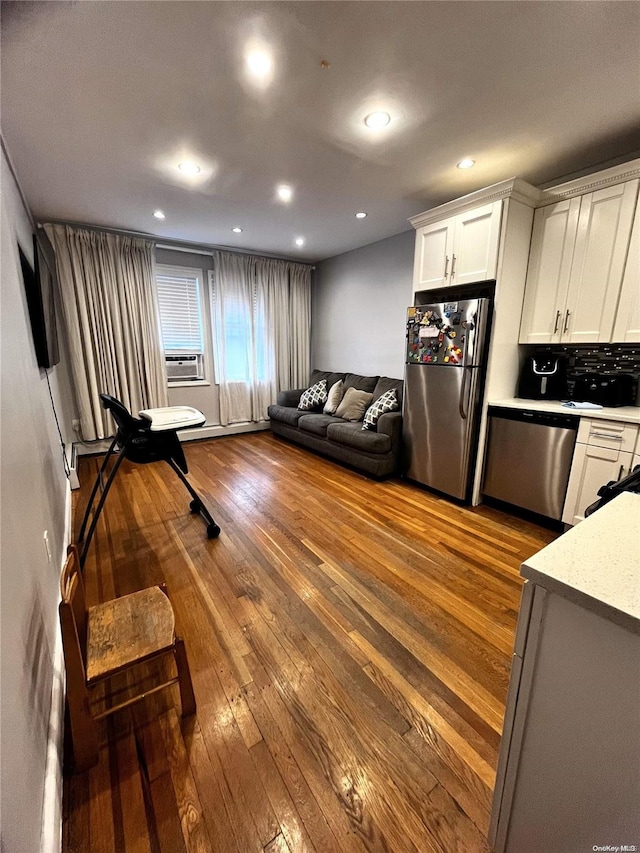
(180, 312)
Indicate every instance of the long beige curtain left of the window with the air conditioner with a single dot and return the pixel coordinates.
(109, 303)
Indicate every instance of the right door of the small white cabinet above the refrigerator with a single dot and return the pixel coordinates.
(475, 244)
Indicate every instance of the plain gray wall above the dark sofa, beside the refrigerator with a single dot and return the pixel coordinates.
(359, 308)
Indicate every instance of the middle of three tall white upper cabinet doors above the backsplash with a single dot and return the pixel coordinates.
(602, 243)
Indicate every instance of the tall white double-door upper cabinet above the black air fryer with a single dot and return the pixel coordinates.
(578, 255)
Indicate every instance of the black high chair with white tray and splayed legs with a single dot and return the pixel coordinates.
(144, 440)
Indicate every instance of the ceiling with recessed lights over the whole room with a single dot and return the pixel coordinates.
(101, 100)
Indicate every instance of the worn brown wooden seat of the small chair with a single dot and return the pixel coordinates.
(127, 630)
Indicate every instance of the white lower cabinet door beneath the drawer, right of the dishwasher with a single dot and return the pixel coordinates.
(592, 468)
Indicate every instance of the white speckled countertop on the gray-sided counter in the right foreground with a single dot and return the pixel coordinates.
(597, 563)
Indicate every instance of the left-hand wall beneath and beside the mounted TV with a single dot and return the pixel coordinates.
(34, 498)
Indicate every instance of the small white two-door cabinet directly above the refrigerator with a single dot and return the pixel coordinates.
(458, 250)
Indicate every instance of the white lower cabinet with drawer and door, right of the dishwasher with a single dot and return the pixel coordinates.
(603, 452)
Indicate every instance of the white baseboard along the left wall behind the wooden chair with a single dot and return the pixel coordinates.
(51, 836)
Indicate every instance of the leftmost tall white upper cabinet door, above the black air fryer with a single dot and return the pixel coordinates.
(552, 244)
